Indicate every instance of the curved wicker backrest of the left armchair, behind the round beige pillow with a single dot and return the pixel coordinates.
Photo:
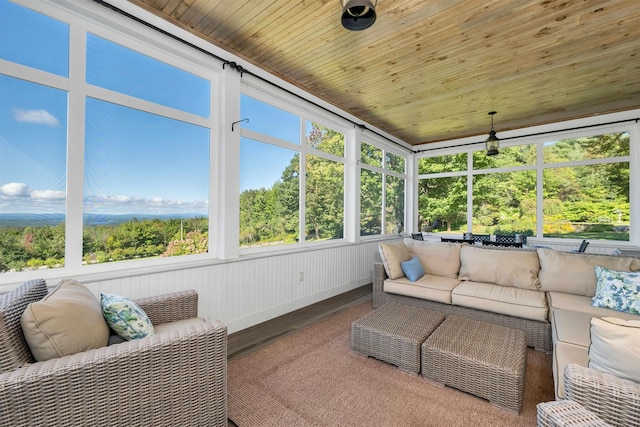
(14, 351)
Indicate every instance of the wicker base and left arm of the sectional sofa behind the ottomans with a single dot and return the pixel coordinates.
(538, 333)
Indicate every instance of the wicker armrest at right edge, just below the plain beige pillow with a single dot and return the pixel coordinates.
(614, 400)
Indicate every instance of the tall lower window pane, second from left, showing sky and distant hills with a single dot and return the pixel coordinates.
(146, 185)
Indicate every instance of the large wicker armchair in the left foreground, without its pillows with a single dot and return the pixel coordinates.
(176, 378)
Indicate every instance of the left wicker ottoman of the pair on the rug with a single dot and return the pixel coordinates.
(394, 333)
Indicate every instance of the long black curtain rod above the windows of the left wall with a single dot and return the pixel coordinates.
(240, 68)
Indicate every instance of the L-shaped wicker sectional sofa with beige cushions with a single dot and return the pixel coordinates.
(546, 293)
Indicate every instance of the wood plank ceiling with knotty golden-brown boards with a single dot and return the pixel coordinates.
(429, 71)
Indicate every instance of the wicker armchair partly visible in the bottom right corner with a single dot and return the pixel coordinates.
(593, 399)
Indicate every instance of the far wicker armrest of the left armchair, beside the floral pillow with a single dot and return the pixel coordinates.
(170, 307)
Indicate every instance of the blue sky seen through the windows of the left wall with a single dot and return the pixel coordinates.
(135, 162)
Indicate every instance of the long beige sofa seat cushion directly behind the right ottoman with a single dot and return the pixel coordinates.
(511, 301)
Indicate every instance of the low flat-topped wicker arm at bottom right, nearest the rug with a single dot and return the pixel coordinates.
(566, 413)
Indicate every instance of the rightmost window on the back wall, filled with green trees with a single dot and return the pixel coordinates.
(586, 185)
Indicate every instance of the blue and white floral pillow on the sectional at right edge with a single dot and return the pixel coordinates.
(617, 290)
